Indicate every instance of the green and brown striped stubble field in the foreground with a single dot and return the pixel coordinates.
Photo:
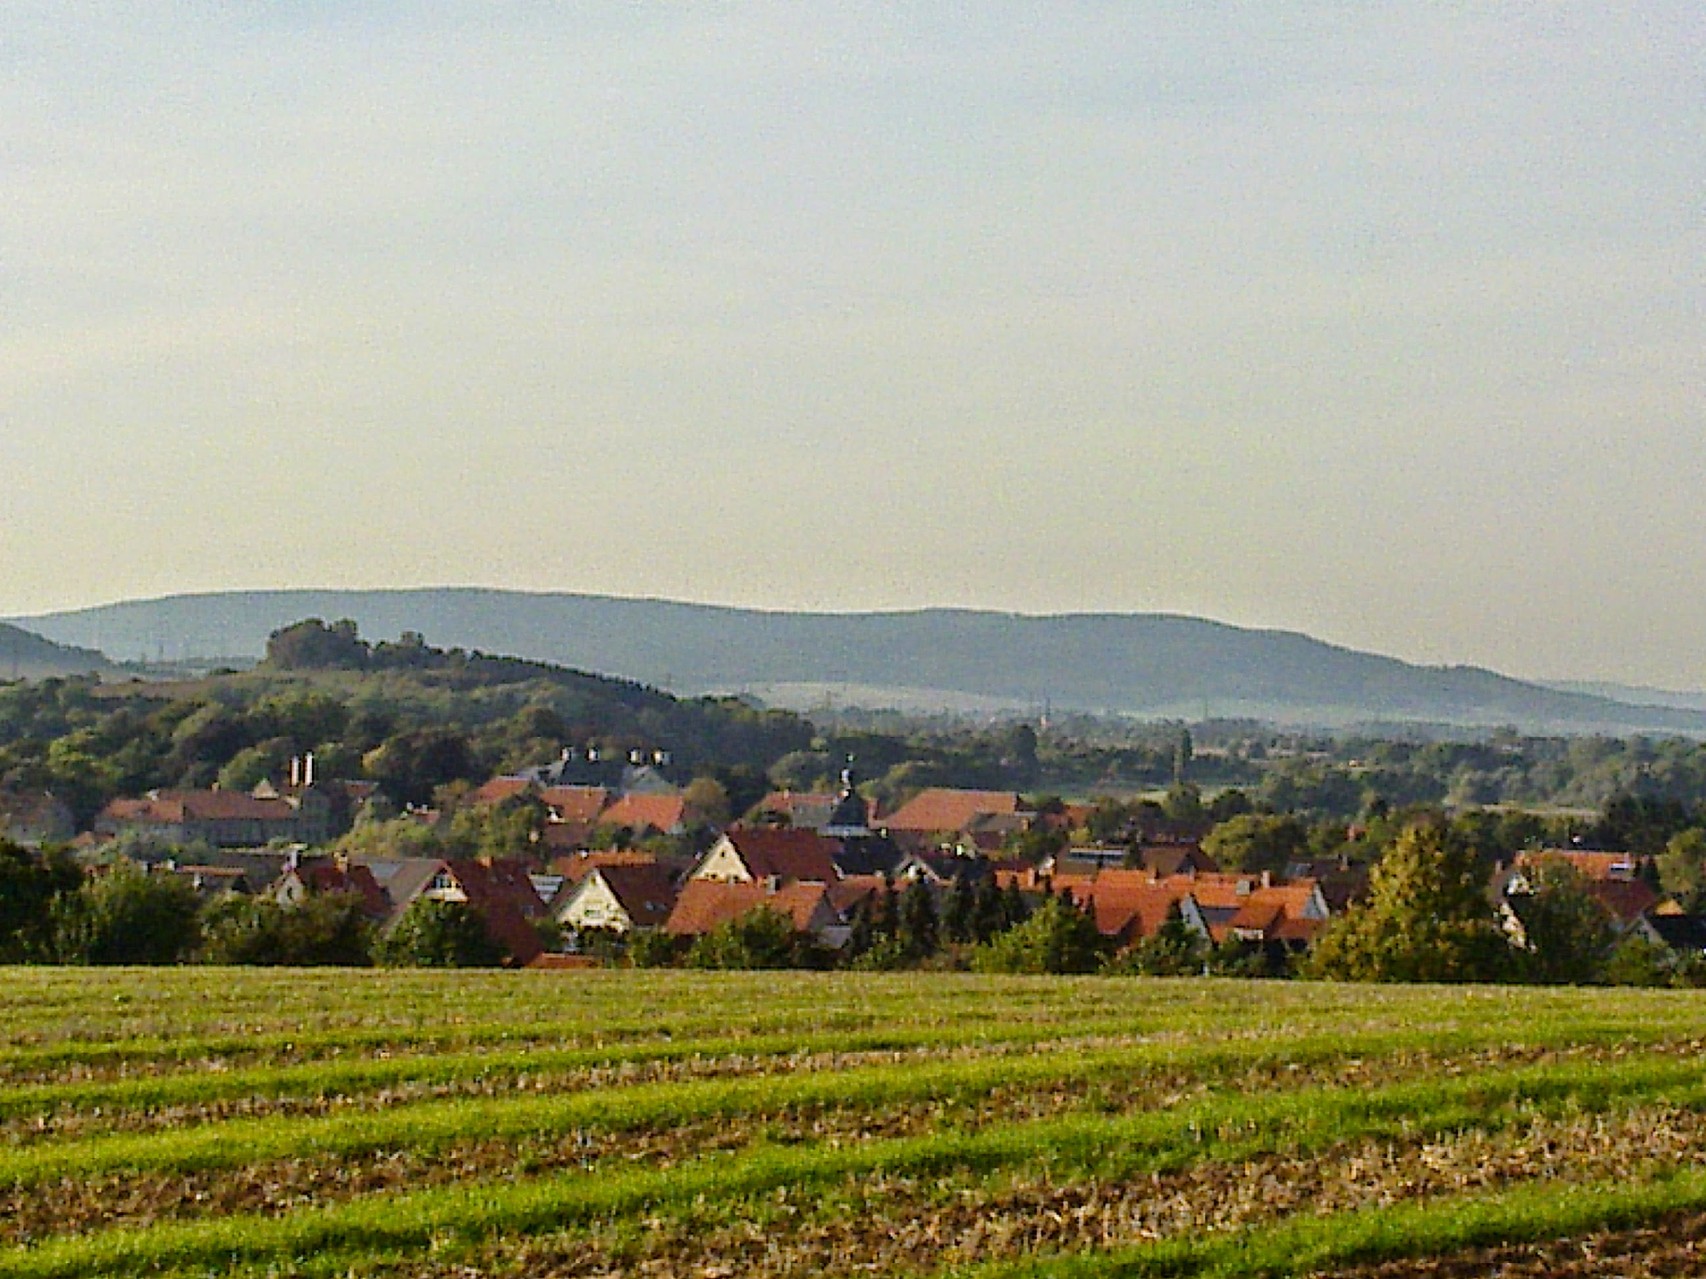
(260, 1123)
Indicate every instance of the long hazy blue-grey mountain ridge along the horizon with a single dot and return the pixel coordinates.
(1125, 664)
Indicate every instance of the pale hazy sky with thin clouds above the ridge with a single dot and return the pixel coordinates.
(1381, 323)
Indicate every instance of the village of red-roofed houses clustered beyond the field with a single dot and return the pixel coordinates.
(600, 869)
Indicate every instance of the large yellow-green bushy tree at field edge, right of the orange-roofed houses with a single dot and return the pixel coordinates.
(1427, 920)
